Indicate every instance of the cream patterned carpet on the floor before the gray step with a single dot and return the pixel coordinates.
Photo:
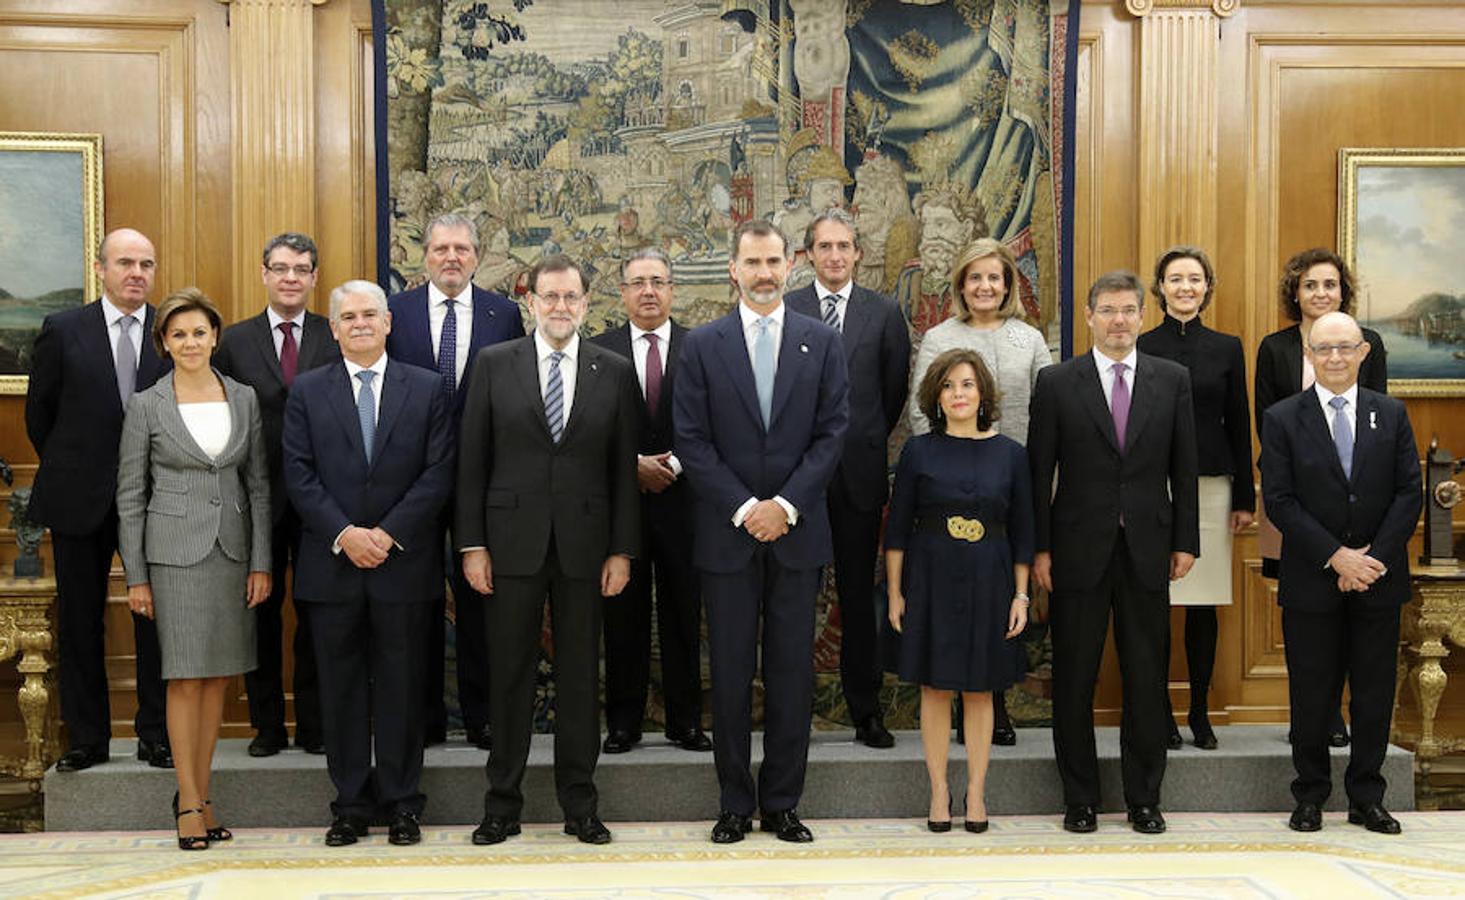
(1236, 855)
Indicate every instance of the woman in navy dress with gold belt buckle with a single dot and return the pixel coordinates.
(957, 553)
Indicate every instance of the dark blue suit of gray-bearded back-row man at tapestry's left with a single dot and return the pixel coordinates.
(496, 319)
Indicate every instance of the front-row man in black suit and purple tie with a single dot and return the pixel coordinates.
(1121, 525)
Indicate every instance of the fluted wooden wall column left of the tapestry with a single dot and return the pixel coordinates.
(272, 48)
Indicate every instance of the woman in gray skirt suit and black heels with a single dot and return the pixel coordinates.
(194, 534)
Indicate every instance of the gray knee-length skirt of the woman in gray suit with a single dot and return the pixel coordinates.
(204, 627)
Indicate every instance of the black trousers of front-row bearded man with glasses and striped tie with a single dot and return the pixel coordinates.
(515, 618)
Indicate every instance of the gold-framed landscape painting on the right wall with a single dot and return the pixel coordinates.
(1401, 224)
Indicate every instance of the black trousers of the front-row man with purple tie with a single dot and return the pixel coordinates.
(1142, 627)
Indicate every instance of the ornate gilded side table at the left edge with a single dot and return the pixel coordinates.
(26, 632)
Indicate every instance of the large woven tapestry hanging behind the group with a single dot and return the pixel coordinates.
(600, 128)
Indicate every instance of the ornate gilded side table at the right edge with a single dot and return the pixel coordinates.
(1434, 616)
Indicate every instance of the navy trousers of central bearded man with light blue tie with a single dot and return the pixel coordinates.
(785, 599)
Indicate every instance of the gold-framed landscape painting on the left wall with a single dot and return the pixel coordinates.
(51, 224)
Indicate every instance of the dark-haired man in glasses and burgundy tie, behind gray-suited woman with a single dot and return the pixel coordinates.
(267, 353)
